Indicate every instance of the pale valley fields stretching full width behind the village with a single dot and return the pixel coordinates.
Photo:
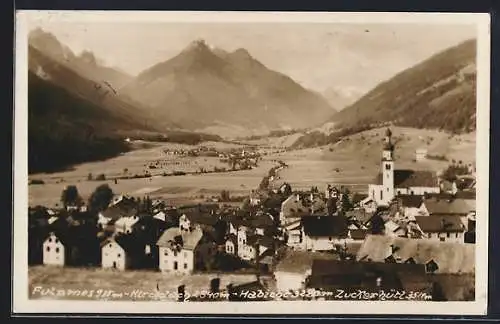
(353, 162)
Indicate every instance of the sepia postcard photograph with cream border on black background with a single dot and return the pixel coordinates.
(251, 162)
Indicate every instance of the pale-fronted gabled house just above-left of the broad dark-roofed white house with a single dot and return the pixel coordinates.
(298, 205)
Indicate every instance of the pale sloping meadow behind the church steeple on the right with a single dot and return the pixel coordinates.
(355, 161)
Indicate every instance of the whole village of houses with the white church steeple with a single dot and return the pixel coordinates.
(412, 232)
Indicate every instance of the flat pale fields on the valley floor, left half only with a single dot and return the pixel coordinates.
(187, 187)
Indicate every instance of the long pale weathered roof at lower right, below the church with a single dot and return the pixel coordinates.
(451, 257)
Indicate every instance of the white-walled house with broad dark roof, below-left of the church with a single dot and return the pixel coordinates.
(321, 233)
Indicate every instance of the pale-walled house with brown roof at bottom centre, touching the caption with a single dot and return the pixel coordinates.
(294, 267)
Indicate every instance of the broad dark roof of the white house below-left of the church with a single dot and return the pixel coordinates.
(325, 226)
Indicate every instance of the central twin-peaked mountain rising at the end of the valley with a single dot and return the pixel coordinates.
(202, 86)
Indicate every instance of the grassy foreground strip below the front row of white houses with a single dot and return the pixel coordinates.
(122, 284)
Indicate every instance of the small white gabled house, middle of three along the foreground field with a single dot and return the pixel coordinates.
(122, 251)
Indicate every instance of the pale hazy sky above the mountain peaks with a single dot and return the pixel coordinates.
(343, 56)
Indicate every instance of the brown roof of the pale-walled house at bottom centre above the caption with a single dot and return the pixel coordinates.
(300, 262)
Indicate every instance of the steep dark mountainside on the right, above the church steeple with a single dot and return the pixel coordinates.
(437, 93)
